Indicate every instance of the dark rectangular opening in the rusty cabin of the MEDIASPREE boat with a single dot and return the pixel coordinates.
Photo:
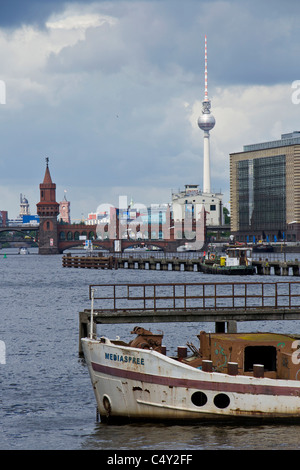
(265, 355)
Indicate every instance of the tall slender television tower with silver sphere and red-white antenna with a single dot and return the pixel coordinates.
(206, 122)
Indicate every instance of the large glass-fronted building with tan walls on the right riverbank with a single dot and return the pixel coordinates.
(265, 191)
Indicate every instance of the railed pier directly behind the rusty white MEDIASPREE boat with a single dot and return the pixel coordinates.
(220, 303)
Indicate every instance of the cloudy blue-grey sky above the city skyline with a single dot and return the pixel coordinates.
(110, 92)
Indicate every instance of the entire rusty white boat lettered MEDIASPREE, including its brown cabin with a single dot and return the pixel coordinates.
(227, 377)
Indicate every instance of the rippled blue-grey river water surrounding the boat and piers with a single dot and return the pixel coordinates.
(46, 398)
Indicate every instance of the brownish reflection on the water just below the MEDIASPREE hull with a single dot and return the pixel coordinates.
(195, 437)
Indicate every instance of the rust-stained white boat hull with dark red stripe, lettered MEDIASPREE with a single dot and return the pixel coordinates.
(133, 384)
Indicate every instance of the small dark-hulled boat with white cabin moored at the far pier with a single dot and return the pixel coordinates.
(236, 261)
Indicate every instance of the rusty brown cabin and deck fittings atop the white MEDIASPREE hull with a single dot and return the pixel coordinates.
(277, 355)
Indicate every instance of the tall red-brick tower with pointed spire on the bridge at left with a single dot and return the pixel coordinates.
(48, 210)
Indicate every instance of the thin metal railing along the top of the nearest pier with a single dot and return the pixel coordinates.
(196, 296)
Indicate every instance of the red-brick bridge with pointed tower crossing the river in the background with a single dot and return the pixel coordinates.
(54, 237)
